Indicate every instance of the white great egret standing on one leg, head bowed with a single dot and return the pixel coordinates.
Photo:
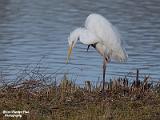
(99, 33)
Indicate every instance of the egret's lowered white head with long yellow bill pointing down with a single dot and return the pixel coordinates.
(72, 40)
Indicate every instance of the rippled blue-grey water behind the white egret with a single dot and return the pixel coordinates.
(35, 32)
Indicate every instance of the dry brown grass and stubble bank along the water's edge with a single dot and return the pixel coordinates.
(123, 100)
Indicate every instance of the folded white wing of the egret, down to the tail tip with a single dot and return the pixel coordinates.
(108, 34)
